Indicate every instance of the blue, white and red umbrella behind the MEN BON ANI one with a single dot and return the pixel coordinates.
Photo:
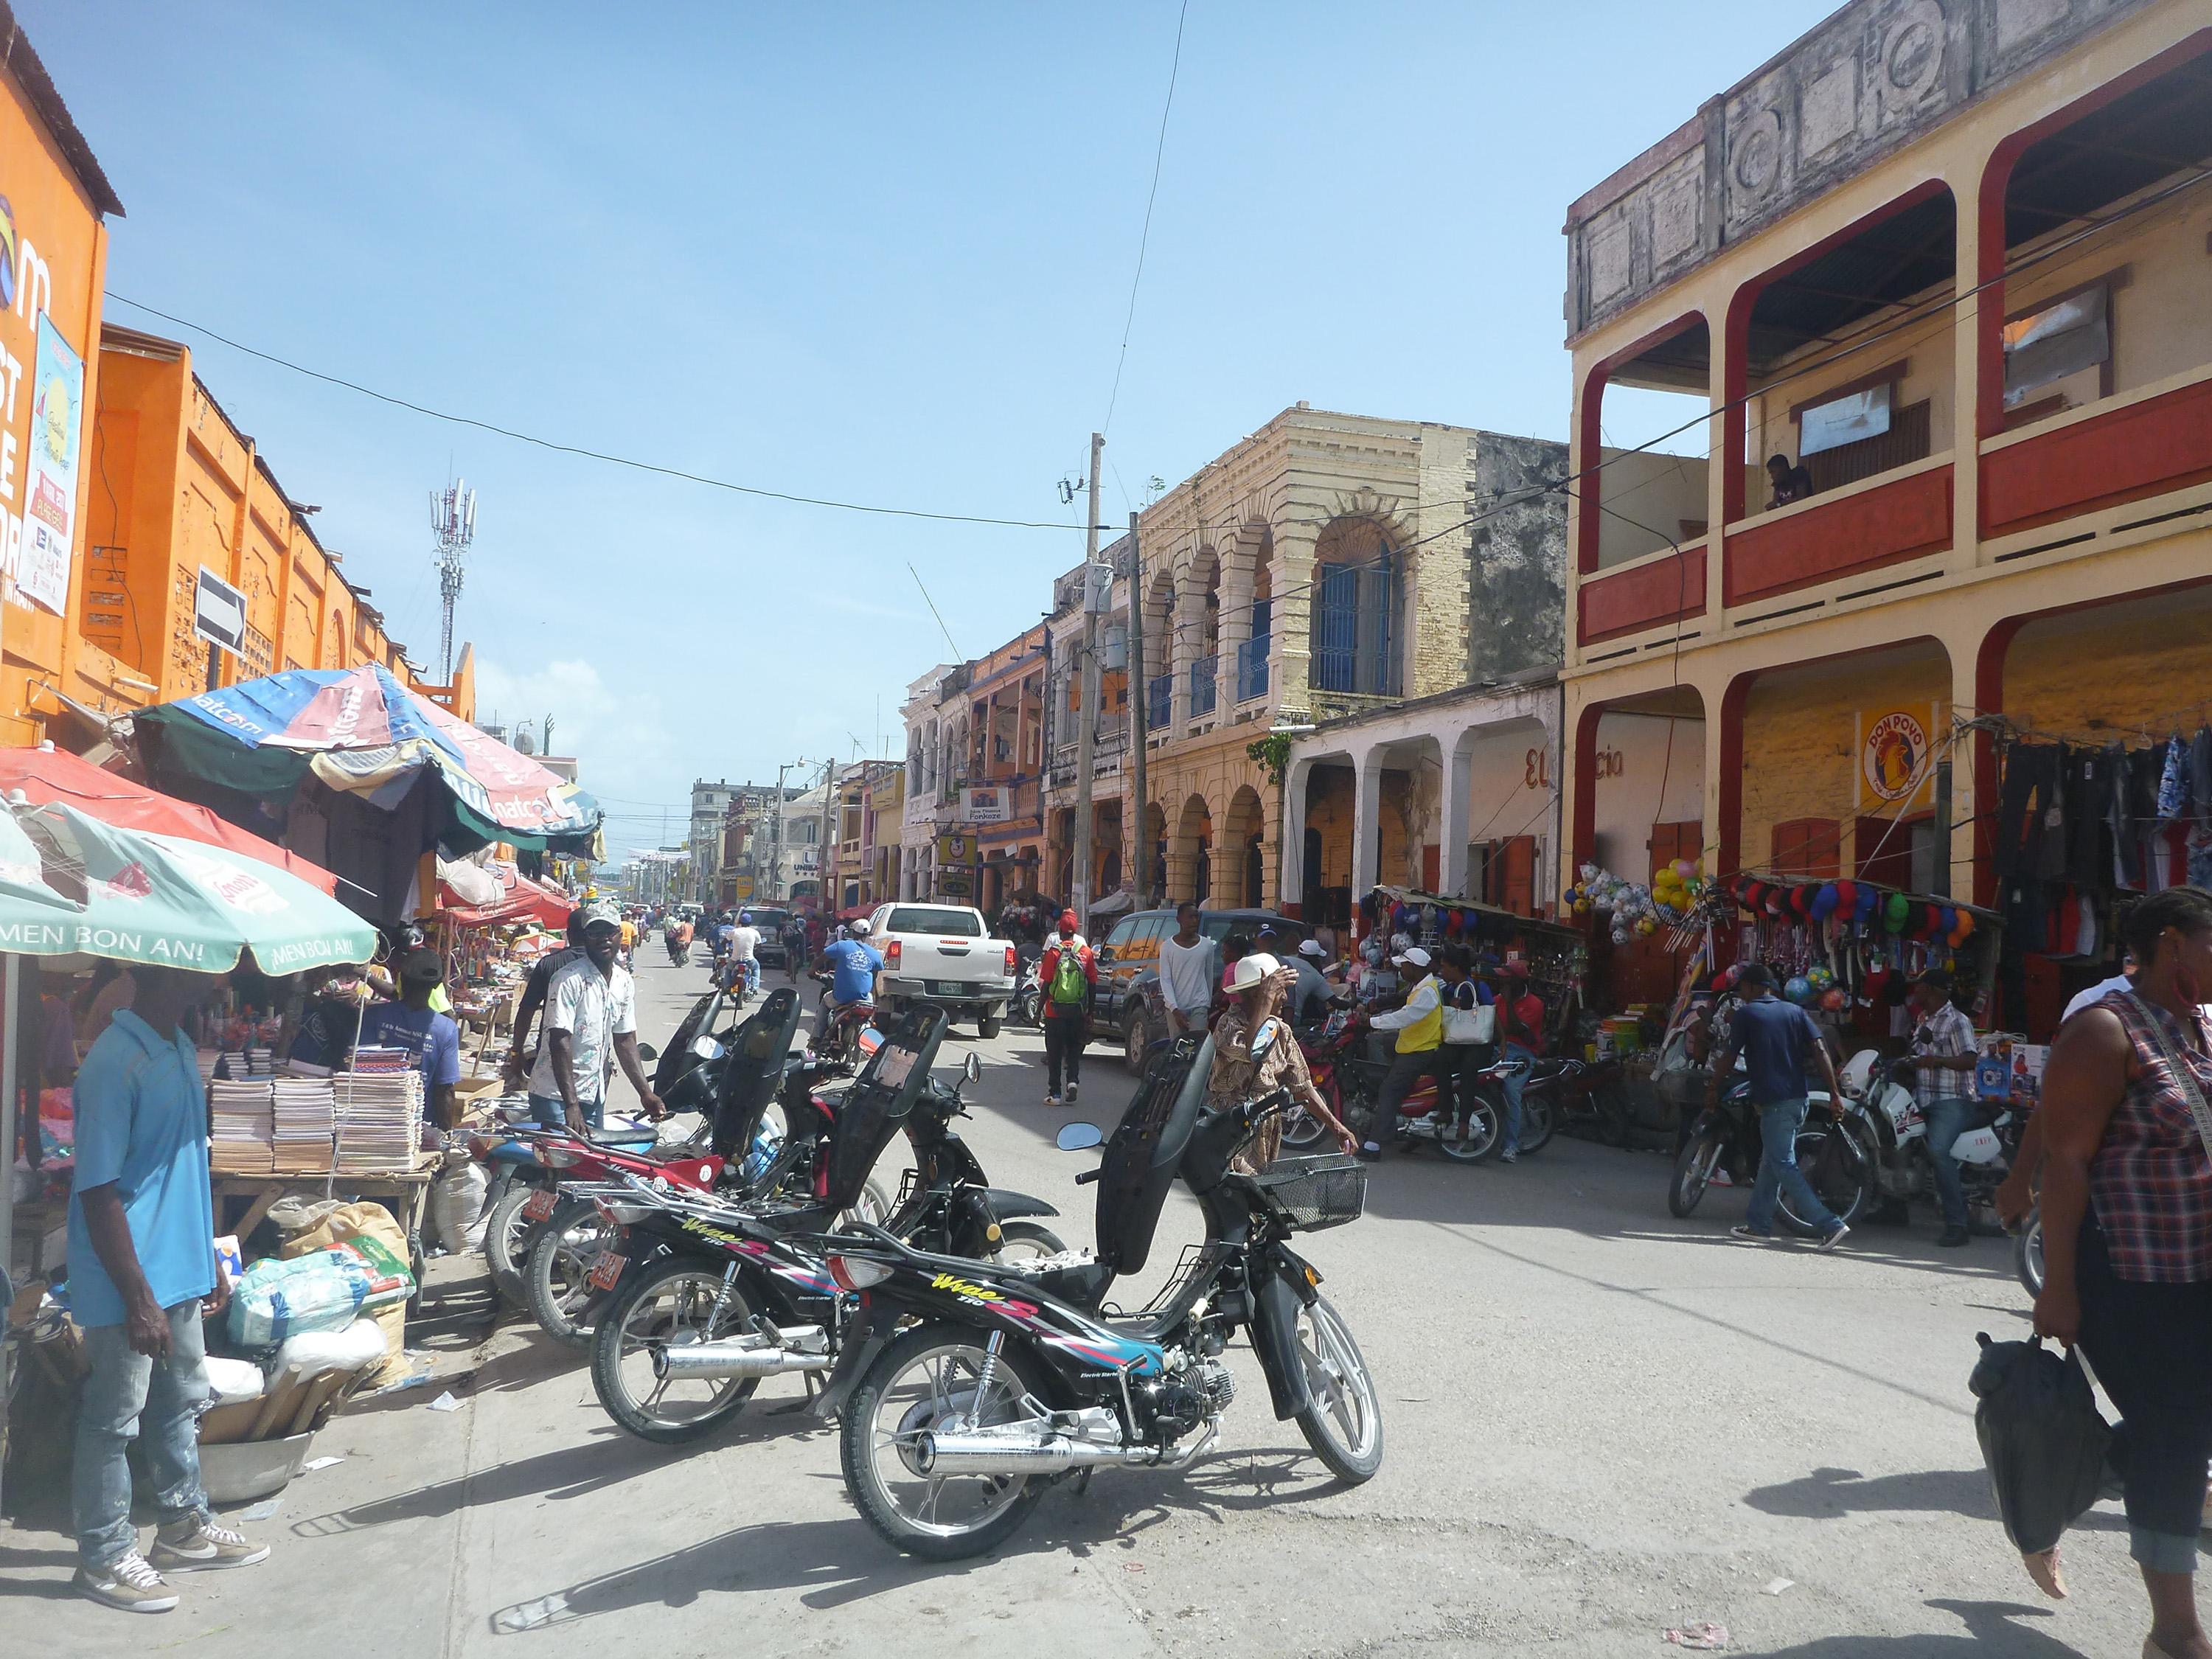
(364, 733)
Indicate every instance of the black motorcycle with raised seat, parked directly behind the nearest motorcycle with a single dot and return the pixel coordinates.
(702, 1297)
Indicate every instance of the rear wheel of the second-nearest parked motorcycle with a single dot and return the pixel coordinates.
(671, 1306)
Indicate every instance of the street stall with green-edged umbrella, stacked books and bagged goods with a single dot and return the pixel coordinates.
(76, 890)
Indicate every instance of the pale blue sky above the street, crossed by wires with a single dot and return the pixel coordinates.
(868, 253)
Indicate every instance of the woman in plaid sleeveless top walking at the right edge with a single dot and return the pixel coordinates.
(2127, 1114)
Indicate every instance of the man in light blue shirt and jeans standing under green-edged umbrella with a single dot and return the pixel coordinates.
(140, 1262)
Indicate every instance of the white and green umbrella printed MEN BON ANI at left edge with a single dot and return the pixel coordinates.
(160, 901)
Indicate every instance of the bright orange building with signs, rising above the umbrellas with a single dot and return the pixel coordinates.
(96, 583)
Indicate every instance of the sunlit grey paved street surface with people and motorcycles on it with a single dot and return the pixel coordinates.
(1600, 1423)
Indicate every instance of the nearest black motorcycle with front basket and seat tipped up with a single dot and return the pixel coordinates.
(968, 1388)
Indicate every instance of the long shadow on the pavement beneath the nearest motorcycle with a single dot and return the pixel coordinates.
(839, 1563)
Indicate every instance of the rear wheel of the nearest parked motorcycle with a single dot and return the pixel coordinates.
(932, 1379)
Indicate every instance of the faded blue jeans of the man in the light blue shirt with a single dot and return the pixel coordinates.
(125, 1395)
